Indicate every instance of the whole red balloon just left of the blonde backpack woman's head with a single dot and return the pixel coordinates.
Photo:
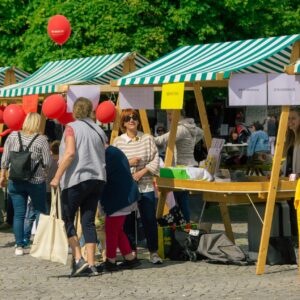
(14, 116)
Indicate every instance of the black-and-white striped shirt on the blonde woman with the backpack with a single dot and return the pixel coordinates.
(39, 151)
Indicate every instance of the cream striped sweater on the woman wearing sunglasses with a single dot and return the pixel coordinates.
(142, 146)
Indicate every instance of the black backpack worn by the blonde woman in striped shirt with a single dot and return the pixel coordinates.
(20, 162)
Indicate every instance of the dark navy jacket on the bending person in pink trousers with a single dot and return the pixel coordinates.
(120, 189)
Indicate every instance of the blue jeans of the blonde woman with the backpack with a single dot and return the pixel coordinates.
(19, 193)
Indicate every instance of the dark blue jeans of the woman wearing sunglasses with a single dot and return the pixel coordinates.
(147, 209)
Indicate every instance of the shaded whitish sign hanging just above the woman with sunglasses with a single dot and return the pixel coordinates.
(136, 97)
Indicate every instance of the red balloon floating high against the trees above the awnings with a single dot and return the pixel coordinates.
(59, 29)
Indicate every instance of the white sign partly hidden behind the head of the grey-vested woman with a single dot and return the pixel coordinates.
(91, 92)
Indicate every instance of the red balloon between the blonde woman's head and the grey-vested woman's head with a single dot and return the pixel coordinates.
(54, 106)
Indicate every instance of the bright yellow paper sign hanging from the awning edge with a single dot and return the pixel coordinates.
(172, 95)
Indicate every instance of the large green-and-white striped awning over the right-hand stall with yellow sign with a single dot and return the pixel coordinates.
(204, 62)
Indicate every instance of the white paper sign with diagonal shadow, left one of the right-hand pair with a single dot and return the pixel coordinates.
(247, 89)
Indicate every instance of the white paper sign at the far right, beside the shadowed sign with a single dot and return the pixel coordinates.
(283, 89)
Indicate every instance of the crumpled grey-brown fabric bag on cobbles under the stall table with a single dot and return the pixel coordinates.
(217, 248)
